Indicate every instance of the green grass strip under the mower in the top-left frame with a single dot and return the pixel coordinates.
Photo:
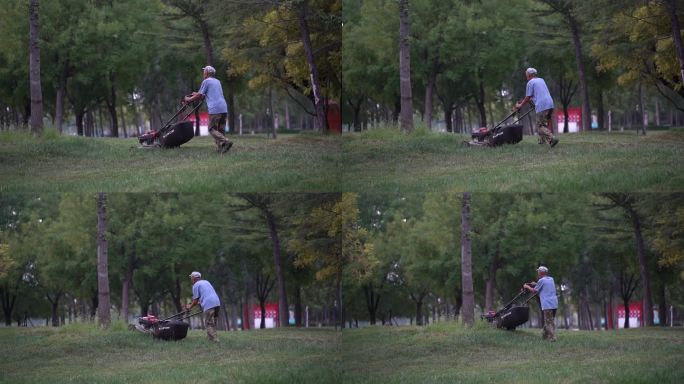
(255, 164)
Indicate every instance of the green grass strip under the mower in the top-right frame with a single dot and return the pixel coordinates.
(386, 161)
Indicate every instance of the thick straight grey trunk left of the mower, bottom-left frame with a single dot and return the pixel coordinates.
(102, 263)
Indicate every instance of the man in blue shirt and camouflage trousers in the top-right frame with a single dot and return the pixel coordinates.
(539, 93)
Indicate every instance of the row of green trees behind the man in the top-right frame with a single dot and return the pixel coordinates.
(607, 56)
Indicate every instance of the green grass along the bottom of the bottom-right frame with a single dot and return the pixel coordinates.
(449, 353)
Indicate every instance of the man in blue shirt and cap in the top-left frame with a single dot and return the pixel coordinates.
(218, 109)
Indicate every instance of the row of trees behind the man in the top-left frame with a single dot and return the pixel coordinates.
(126, 62)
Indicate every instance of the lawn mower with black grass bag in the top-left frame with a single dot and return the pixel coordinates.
(172, 134)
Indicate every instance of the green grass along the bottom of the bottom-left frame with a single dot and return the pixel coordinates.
(83, 354)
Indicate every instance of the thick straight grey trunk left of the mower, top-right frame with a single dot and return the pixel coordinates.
(405, 68)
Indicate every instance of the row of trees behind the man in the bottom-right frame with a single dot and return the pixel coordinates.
(436, 254)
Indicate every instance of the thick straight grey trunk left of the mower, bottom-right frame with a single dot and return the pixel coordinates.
(466, 263)
